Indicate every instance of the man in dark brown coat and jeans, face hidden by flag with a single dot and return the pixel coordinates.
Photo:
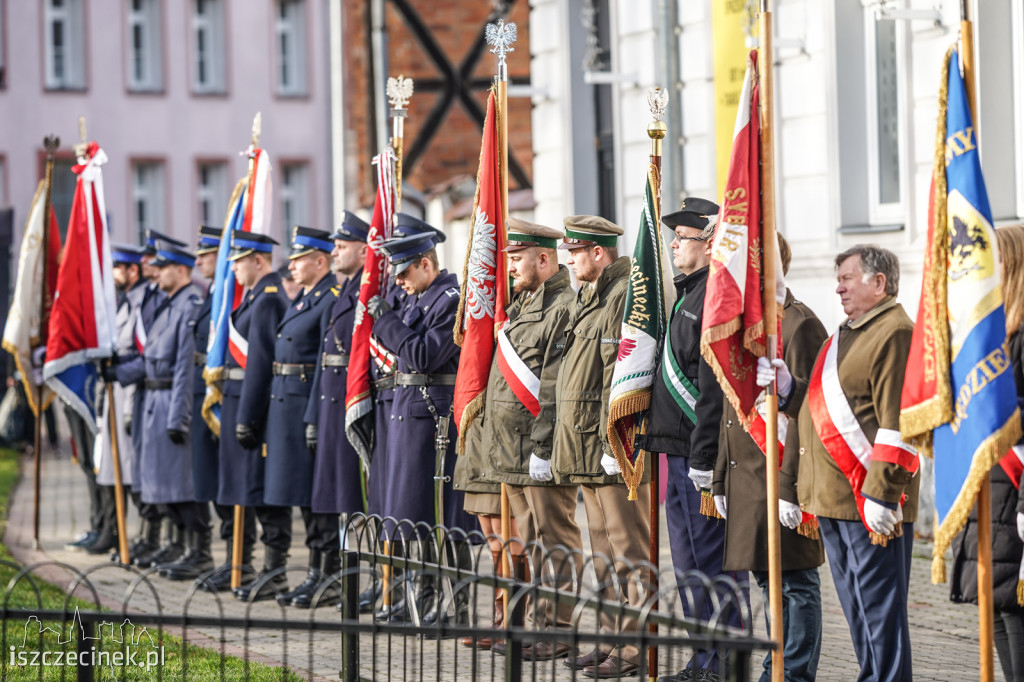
(741, 489)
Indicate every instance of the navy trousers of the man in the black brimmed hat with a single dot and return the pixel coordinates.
(698, 544)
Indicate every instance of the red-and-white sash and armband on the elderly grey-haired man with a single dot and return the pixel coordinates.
(840, 432)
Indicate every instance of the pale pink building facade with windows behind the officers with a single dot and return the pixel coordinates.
(169, 90)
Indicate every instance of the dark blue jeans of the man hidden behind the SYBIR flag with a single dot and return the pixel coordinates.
(801, 623)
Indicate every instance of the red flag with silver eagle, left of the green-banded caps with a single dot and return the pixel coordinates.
(485, 282)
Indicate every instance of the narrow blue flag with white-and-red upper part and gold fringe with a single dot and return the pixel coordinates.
(250, 210)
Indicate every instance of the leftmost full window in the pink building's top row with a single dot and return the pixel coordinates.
(65, 42)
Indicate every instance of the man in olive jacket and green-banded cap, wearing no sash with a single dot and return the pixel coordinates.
(619, 529)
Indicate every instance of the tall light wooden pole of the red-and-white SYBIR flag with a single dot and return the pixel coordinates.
(772, 326)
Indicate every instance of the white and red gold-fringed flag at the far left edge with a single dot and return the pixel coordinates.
(28, 319)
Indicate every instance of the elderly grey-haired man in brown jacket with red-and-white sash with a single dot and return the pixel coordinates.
(856, 474)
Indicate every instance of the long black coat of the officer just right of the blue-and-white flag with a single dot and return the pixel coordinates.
(240, 480)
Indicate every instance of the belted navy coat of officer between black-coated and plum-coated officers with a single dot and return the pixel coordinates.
(288, 481)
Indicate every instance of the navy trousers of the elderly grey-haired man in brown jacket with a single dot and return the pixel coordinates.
(873, 583)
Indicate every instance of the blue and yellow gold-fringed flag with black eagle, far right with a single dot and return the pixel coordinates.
(977, 420)
